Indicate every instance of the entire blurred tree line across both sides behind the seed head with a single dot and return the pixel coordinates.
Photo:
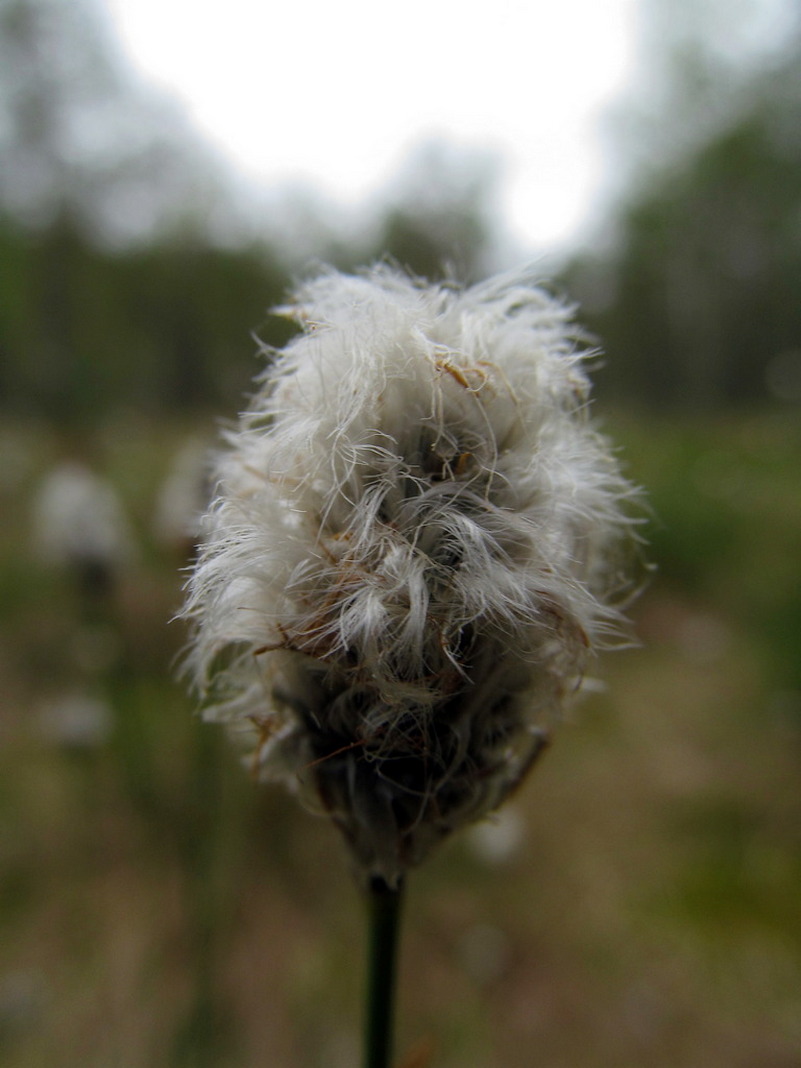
(128, 280)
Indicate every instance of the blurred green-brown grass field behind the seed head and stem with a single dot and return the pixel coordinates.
(639, 904)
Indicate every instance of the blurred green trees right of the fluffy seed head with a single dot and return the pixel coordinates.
(696, 293)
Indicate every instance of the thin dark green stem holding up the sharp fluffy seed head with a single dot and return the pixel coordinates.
(385, 919)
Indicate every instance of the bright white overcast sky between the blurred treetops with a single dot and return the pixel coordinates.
(336, 95)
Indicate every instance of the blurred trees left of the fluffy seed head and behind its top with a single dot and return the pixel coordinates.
(127, 278)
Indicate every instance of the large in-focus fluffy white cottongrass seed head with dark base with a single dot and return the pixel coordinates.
(417, 542)
